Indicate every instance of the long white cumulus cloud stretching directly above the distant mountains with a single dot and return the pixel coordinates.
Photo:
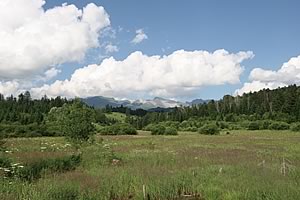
(178, 74)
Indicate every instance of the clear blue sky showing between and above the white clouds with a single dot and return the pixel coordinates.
(270, 29)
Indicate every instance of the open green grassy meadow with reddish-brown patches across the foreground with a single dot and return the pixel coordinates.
(241, 165)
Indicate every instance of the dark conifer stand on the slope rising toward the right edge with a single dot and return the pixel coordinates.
(282, 104)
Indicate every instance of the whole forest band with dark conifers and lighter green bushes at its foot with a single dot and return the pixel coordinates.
(266, 109)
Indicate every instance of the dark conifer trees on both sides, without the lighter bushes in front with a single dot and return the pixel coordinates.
(22, 114)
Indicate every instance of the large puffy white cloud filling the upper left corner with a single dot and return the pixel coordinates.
(33, 40)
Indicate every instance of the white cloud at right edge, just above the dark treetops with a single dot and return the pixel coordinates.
(289, 73)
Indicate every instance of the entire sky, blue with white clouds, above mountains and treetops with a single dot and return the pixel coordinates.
(141, 49)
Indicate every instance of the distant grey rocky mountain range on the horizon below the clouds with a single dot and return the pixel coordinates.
(157, 102)
